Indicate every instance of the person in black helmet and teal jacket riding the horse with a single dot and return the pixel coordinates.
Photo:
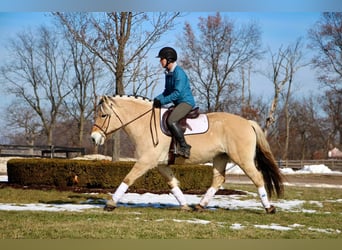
(177, 91)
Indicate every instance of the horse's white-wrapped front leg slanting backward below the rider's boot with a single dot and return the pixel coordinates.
(172, 181)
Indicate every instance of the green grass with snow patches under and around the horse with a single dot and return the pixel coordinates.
(169, 223)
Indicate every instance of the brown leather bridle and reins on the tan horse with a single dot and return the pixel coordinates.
(106, 122)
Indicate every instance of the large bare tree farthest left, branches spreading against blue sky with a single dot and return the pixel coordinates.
(37, 73)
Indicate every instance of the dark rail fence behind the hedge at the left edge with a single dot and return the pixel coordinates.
(50, 151)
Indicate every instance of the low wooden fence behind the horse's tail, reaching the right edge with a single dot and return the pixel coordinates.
(333, 164)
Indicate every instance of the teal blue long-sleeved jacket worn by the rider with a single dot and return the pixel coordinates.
(177, 88)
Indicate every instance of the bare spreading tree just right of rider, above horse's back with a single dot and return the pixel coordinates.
(214, 53)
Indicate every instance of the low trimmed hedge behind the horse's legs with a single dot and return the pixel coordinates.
(101, 174)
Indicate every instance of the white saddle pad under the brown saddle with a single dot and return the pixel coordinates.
(198, 125)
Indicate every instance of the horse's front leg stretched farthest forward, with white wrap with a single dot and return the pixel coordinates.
(139, 169)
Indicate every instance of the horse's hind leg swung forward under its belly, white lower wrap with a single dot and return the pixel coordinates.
(219, 171)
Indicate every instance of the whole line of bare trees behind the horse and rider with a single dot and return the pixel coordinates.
(58, 71)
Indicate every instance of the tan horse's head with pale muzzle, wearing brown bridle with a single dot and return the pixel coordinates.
(107, 120)
